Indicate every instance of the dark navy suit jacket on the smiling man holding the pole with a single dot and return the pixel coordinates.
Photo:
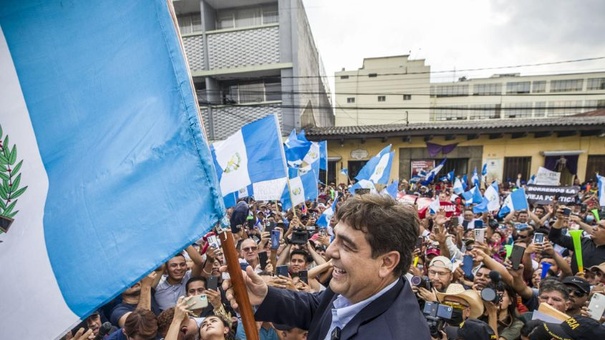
(394, 315)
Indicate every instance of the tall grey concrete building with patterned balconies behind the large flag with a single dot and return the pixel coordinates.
(250, 58)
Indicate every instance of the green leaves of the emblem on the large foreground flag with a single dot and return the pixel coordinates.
(10, 177)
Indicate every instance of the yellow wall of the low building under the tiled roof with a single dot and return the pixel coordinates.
(492, 149)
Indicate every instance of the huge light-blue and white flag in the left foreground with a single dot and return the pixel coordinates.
(99, 107)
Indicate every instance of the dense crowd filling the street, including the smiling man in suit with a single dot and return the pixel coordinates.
(379, 270)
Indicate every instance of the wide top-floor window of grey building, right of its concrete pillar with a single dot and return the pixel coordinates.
(247, 17)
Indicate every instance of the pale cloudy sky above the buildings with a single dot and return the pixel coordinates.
(462, 34)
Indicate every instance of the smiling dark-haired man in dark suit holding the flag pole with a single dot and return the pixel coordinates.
(367, 296)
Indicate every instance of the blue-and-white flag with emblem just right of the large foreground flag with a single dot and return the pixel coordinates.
(252, 160)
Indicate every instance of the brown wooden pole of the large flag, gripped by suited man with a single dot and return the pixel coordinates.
(239, 286)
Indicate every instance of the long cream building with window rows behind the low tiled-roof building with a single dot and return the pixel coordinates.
(393, 90)
